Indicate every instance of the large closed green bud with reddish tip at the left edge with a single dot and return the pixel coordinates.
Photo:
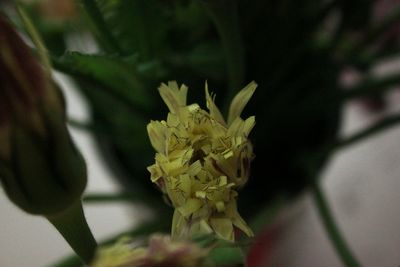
(40, 169)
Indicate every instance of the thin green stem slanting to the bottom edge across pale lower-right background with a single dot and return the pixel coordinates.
(331, 228)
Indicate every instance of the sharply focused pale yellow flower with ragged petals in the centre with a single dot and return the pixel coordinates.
(201, 161)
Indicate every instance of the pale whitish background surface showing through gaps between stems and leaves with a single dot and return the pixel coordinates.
(362, 183)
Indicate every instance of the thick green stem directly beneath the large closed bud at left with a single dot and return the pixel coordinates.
(73, 227)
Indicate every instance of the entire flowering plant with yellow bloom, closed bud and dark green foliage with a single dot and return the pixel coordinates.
(204, 180)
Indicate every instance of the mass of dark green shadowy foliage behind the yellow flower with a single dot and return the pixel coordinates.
(295, 50)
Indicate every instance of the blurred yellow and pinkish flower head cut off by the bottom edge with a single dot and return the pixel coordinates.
(161, 251)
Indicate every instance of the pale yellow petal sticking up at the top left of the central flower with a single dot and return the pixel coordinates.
(174, 97)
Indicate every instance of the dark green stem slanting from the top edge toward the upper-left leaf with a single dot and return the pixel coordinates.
(101, 26)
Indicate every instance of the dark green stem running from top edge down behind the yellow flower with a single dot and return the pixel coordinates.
(224, 14)
